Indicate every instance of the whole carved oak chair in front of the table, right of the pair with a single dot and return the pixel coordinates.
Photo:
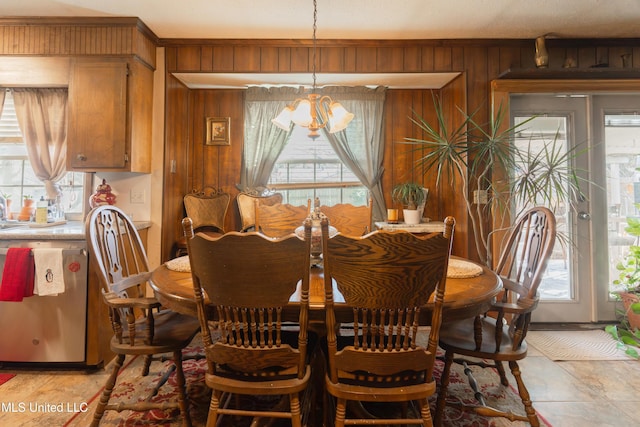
(386, 277)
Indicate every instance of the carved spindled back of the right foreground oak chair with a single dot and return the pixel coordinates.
(386, 277)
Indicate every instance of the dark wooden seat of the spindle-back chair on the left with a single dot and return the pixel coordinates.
(171, 331)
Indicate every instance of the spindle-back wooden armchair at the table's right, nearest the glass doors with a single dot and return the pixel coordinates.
(499, 335)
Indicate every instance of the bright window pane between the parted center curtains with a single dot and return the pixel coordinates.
(309, 168)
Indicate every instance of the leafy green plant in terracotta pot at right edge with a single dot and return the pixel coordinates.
(627, 332)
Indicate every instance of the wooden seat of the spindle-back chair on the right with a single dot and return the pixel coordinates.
(455, 336)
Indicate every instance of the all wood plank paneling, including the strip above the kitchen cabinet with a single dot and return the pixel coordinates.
(189, 164)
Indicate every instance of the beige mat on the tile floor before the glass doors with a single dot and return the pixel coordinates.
(576, 345)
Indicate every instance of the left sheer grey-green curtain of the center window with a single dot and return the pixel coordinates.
(263, 142)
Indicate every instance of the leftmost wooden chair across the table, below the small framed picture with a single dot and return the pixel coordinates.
(207, 208)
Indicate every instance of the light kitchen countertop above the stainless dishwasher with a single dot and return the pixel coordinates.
(72, 230)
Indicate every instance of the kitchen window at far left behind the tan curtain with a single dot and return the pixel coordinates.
(17, 178)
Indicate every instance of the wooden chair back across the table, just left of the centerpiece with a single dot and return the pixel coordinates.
(280, 219)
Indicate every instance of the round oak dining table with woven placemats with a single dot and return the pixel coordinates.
(464, 297)
